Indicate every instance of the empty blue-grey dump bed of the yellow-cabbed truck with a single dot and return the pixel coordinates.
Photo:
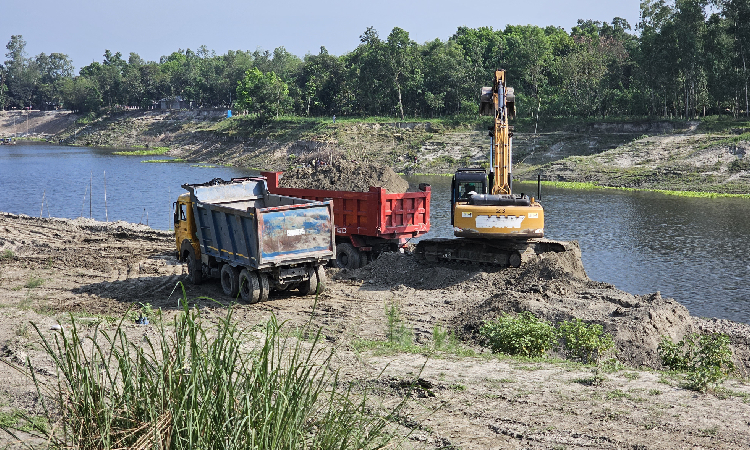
(241, 223)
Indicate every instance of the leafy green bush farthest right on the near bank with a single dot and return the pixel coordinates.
(706, 359)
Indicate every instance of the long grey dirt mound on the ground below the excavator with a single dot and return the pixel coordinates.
(553, 286)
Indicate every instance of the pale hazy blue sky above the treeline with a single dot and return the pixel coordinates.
(83, 29)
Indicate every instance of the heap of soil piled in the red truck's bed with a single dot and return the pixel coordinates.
(344, 175)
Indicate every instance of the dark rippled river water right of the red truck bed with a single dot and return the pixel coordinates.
(691, 249)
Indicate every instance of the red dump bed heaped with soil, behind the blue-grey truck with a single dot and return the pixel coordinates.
(373, 214)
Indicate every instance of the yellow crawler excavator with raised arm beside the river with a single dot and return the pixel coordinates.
(494, 225)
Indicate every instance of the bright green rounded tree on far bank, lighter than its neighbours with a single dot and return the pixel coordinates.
(262, 94)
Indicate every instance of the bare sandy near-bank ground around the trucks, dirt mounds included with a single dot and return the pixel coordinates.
(55, 269)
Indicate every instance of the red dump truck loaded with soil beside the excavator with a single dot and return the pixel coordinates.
(368, 223)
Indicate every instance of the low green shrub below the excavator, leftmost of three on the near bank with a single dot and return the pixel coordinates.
(523, 334)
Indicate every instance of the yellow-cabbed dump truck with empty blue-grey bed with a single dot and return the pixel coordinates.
(252, 240)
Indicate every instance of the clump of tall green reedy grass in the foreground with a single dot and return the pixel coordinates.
(201, 386)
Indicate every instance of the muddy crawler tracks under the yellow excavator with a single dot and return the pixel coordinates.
(508, 253)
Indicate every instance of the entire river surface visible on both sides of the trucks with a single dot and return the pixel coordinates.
(694, 250)
